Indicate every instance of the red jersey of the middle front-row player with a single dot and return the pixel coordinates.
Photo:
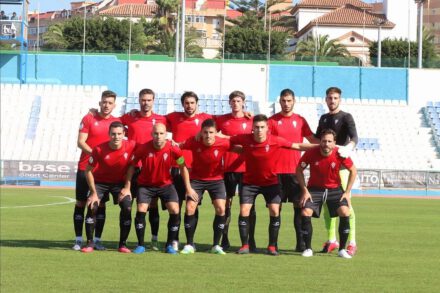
(208, 160)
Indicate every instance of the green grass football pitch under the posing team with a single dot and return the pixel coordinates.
(398, 243)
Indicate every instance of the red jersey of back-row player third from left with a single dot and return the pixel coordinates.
(183, 127)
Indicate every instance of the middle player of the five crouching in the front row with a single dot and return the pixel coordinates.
(206, 175)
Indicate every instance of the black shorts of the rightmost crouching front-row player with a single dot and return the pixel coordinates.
(330, 196)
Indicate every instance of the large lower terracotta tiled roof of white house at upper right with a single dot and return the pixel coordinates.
(348, 15)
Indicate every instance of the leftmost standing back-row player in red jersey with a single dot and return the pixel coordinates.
(92, 132)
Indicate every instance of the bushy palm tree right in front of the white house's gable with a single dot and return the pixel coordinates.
(323, 47)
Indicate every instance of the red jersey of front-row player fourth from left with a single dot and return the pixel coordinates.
(259, 158)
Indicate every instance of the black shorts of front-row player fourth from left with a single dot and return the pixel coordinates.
(271, 193)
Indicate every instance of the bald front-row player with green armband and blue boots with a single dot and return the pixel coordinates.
(154, 181)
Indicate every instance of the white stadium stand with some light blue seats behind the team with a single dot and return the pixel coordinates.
(392, 136)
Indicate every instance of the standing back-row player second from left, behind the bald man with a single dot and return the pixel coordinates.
(139, 127)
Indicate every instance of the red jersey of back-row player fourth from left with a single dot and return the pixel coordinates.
(230, 125)
